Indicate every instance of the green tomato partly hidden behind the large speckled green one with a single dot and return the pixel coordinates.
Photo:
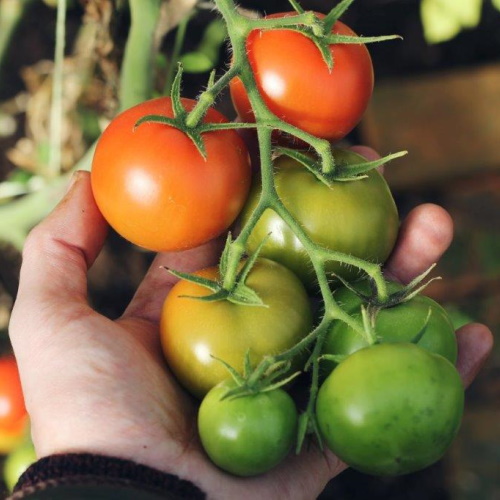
(400, 323)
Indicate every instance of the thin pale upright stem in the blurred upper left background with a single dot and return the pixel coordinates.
(56, 110)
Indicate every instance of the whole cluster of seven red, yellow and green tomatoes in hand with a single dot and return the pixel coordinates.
(158, 189)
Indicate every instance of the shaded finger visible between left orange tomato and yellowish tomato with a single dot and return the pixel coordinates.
(151, 294)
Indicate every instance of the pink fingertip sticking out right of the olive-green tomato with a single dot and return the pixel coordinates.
(424, 236)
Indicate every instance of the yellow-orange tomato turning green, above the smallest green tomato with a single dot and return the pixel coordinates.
(194, 333)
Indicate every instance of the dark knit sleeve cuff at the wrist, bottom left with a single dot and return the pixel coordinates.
(79, 476)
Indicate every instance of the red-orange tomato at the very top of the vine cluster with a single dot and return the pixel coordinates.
(297, 86)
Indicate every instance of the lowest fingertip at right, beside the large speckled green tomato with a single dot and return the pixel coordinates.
(475, 342)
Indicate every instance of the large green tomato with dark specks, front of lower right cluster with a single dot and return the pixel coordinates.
(390, 409)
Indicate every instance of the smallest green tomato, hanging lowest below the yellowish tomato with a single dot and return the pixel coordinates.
(247, 435)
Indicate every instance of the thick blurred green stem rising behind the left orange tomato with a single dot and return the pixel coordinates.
(136, 79)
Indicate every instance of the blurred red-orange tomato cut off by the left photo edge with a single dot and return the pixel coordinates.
(13, 415)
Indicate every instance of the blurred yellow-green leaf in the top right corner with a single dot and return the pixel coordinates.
(442, 20)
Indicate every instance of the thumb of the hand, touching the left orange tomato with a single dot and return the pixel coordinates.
(59, 251)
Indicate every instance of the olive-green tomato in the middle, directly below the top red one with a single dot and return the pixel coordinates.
(358, 218)
